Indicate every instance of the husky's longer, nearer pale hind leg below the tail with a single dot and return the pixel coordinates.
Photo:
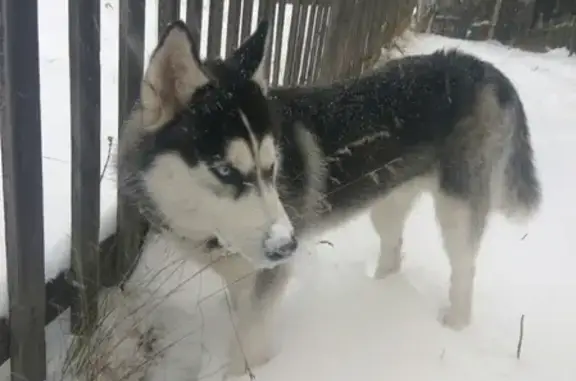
(462, 224)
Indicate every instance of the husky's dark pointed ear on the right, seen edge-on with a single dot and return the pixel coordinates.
(250, 56)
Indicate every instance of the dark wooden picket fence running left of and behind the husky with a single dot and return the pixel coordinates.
(326, 40)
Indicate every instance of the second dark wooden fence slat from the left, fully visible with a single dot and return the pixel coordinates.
(84, 43)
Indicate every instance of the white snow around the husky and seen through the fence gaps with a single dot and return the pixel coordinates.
(337, 323)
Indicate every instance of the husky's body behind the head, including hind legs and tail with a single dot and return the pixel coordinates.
(445, 123)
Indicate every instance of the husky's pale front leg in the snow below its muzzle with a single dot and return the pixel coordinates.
(254, 297)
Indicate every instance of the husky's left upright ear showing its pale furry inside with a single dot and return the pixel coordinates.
(174, 71)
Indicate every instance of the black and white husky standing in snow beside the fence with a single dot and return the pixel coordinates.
(229, 172)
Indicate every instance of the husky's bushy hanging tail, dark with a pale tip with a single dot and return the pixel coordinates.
(522, 191)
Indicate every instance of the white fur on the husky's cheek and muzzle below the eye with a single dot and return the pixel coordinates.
(184, 196)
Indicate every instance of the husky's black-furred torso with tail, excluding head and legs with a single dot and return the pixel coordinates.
(447, 114)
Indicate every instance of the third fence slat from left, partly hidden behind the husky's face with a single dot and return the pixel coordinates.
(131, 58)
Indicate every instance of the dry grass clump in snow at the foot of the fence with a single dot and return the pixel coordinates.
(122, 346)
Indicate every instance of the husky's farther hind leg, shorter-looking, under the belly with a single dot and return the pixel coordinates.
(388, 216)
